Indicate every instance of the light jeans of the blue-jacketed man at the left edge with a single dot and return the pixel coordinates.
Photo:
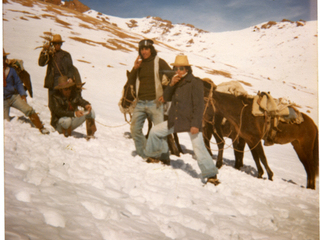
(16, 102)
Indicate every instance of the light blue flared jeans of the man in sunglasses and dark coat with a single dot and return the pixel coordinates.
(157, 145)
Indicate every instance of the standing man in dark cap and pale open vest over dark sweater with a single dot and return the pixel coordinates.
(146, 76)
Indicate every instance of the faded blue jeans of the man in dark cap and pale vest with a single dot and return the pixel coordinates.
(142, 110)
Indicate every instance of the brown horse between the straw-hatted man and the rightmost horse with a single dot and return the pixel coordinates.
(213, 125)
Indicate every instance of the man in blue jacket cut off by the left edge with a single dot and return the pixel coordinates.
(14, 95)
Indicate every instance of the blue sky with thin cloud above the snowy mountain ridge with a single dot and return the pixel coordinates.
(210, 15)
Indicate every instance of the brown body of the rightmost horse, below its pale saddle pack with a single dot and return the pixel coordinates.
(303, 136)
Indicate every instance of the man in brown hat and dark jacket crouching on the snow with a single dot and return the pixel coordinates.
(66, 115)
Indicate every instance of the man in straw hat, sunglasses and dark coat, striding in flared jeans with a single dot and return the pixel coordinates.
(185, 115)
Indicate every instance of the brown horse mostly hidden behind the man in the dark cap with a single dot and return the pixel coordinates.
(126, 105)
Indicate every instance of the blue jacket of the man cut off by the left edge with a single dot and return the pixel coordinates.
(14, 85)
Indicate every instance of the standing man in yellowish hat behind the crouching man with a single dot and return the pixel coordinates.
(59, 63)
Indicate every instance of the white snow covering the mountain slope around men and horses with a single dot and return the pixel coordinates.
(70, 188)
